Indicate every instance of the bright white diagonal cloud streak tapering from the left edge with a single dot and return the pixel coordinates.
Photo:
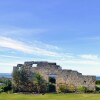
(23, 47)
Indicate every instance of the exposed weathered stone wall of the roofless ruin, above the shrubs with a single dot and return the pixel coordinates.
(62, 76)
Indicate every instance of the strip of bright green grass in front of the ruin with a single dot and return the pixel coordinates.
(50, 97)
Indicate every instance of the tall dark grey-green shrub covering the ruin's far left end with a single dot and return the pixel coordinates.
(21, 81)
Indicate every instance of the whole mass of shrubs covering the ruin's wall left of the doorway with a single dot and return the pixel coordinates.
(23, 81)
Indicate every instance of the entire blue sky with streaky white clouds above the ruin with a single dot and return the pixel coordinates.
(63, 31)
